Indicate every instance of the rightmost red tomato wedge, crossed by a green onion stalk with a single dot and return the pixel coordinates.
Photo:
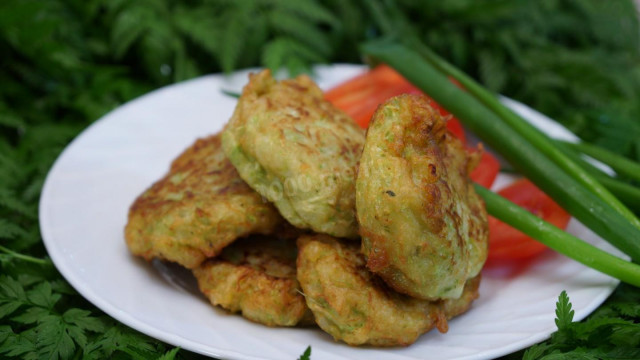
(507, 243)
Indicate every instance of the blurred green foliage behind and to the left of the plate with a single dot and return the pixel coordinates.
(65, 63)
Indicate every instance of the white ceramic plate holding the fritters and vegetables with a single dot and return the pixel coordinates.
(83, 211)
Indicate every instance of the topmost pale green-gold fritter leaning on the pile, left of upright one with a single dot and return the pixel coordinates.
(297, 150)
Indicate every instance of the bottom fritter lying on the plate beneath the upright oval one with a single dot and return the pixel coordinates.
(355, 306)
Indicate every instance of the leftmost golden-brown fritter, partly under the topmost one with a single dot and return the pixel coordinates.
(197, 209)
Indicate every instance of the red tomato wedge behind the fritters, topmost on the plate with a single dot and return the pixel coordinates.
(360, 96)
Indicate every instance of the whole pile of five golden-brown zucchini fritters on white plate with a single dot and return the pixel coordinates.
(293, 166)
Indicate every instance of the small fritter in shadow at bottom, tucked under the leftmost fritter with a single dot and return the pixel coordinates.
(257, 277)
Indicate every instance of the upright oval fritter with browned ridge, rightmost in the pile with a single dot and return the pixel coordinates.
(423, 227)
